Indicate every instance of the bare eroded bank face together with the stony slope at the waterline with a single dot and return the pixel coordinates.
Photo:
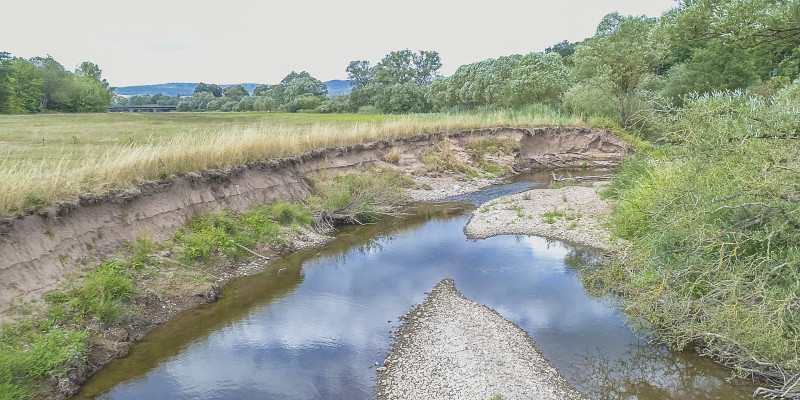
(157, 208)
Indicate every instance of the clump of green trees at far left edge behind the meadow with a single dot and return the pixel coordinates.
(42, 84)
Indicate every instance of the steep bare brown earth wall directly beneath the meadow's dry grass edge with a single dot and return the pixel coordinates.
(40, 249)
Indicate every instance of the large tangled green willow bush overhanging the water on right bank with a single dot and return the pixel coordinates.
(714, 222)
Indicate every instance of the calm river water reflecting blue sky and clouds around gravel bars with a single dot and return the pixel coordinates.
(315, 330)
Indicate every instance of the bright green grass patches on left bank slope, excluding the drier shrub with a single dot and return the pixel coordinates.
(55, 338)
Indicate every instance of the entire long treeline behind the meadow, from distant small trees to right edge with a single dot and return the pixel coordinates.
(631, 66)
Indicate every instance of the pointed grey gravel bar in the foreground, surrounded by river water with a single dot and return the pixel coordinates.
(453, 348)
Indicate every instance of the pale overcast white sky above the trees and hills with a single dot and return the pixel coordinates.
(237, 41)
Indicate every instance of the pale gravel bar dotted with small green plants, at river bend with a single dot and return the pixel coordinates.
(574, 214)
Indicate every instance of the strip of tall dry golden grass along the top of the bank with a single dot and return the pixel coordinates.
(36, 183)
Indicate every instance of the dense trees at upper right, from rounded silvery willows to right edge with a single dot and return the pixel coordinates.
(633, 65)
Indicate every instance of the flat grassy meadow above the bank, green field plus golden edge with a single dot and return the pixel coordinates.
(50, 157)
